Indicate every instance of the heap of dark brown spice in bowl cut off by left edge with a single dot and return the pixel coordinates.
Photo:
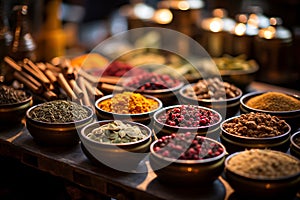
(10, 95)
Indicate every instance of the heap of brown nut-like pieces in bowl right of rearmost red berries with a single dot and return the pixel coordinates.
(212, 88)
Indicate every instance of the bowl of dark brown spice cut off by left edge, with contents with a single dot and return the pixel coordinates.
(13, 104)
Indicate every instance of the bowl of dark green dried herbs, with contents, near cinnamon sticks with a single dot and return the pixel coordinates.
(57, 122)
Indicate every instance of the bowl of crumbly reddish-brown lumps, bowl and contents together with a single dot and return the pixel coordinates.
(255, 131)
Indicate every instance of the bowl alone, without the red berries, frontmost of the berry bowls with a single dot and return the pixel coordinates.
(187, 172)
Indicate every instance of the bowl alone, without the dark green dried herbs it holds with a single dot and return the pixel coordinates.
(56, 134)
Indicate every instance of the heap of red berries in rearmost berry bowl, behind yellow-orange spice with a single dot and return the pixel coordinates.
(152, 81)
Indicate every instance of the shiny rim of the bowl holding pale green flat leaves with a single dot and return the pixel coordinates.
(82, 132)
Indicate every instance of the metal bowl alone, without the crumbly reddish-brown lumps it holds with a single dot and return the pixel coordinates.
(235, 143)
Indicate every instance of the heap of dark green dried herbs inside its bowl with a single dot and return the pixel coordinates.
(59, 111)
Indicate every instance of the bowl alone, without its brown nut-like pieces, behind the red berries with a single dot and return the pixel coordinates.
(226, 107)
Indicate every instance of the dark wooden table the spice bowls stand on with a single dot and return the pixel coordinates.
(70, 163)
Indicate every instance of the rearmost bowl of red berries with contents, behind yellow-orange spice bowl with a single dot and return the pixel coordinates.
(161, 86)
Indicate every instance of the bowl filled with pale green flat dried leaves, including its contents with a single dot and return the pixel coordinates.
(119, 144)
